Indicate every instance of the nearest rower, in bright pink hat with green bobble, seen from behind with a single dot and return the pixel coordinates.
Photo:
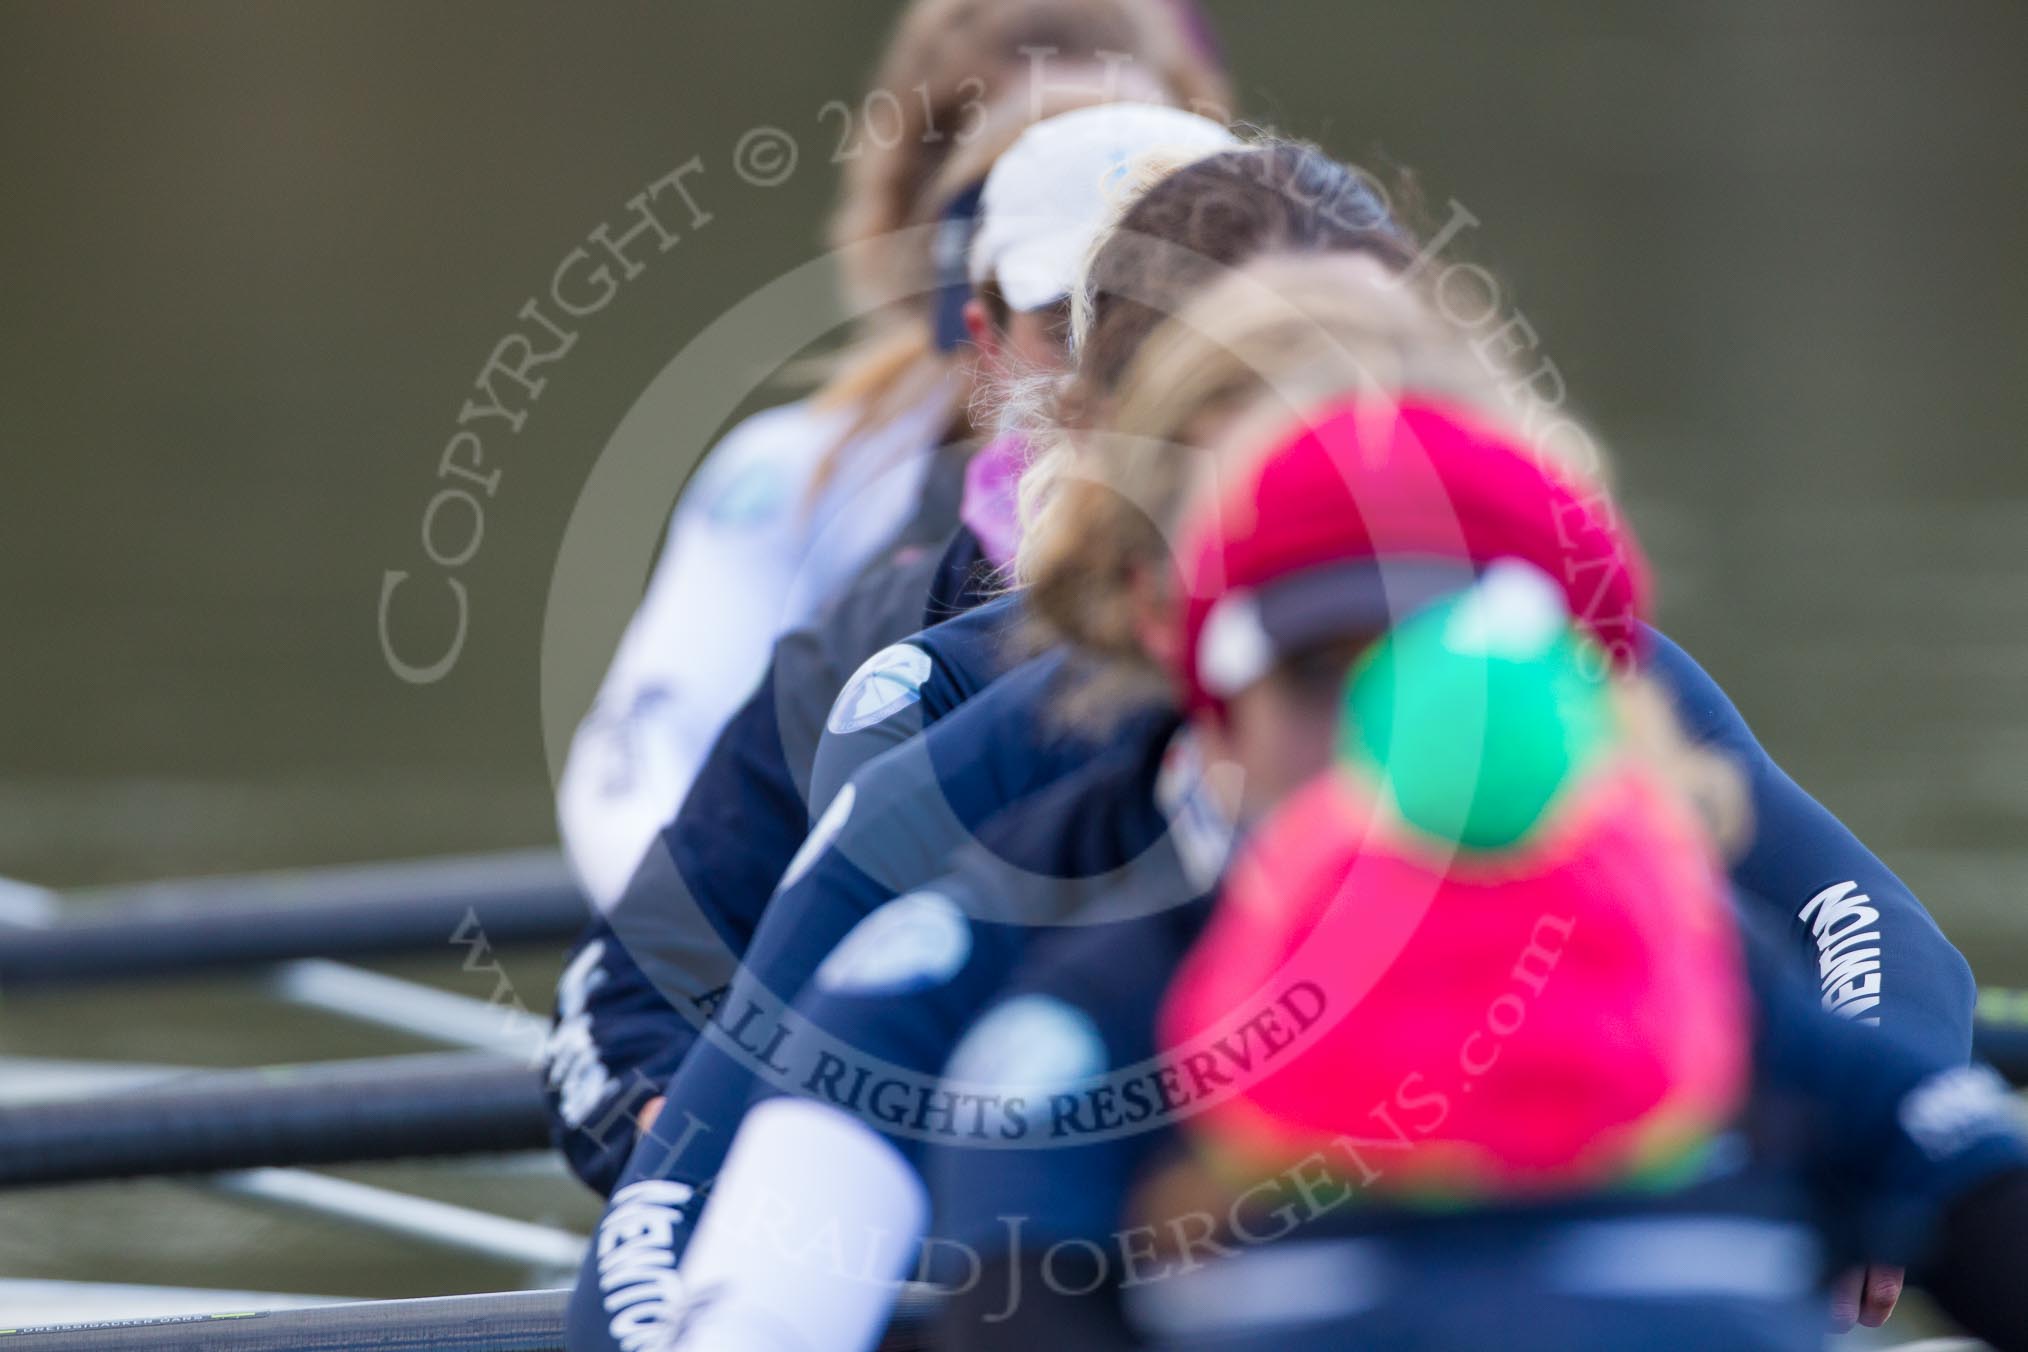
(1461, 1065)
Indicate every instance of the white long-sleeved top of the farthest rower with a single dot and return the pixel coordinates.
(751, 554)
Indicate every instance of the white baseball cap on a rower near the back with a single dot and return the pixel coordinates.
(1058, 187)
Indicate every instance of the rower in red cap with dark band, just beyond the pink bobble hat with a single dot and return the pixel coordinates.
(1139, 850)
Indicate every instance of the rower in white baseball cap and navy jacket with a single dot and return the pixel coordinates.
(835, 694)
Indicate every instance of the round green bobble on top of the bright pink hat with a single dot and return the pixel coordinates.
(1481, 710)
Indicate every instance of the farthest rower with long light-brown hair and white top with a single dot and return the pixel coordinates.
(798, 500)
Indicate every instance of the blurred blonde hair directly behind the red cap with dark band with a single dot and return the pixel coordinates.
(1256, 350)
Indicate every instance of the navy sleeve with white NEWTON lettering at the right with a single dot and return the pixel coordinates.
(1873, 950)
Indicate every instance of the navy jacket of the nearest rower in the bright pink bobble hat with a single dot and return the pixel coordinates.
(1851, 1148)
